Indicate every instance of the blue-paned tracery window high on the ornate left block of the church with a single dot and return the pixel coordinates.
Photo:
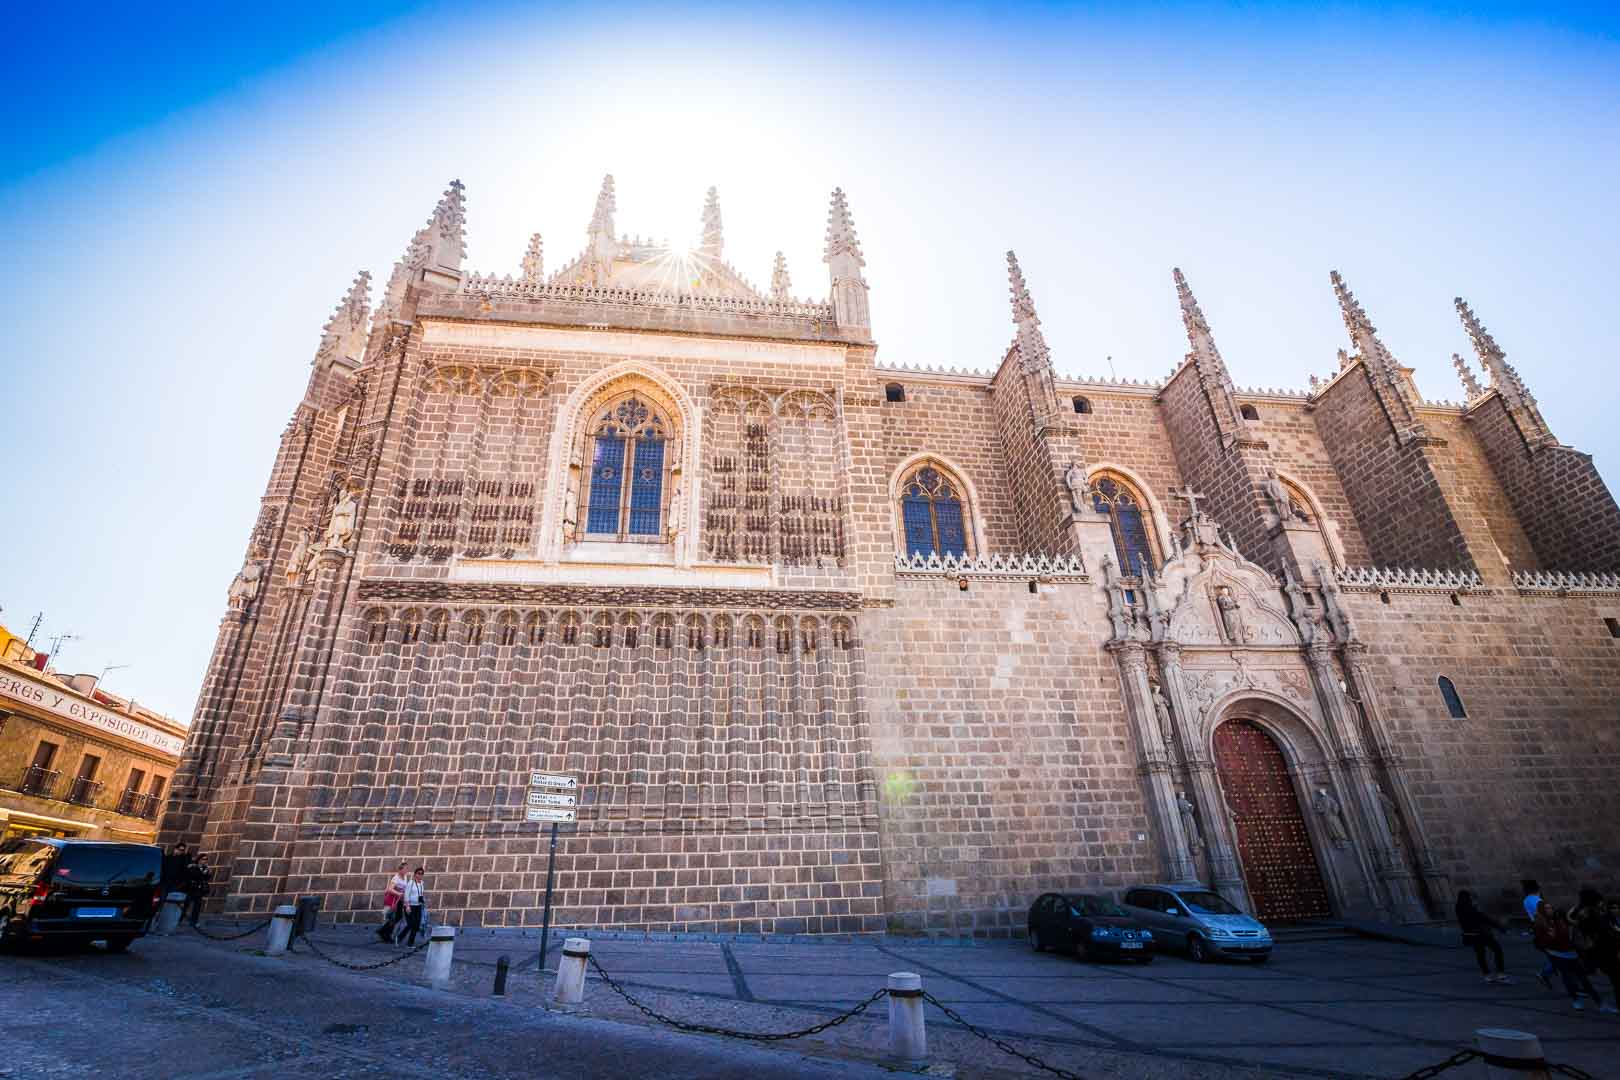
(625, 498)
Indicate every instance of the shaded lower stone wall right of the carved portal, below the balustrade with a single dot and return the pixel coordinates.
(1525, 786)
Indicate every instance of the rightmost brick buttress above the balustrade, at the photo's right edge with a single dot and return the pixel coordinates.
(1567, 511)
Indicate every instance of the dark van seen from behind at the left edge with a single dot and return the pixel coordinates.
(82, 891)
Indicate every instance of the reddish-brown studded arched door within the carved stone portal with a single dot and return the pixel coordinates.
(1273, 843)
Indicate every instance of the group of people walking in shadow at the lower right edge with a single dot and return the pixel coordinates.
(1577, 943)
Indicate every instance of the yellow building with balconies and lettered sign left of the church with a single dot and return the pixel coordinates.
(77, 760)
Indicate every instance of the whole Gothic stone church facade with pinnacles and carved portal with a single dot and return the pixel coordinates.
(835, 647)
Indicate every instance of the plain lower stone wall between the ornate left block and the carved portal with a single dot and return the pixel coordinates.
(1002, 754)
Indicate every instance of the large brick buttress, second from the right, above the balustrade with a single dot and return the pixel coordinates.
(1392, 490)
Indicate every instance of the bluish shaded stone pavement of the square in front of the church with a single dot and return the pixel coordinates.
(1344, 1008)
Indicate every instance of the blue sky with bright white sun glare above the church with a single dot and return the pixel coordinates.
(187, 195)
